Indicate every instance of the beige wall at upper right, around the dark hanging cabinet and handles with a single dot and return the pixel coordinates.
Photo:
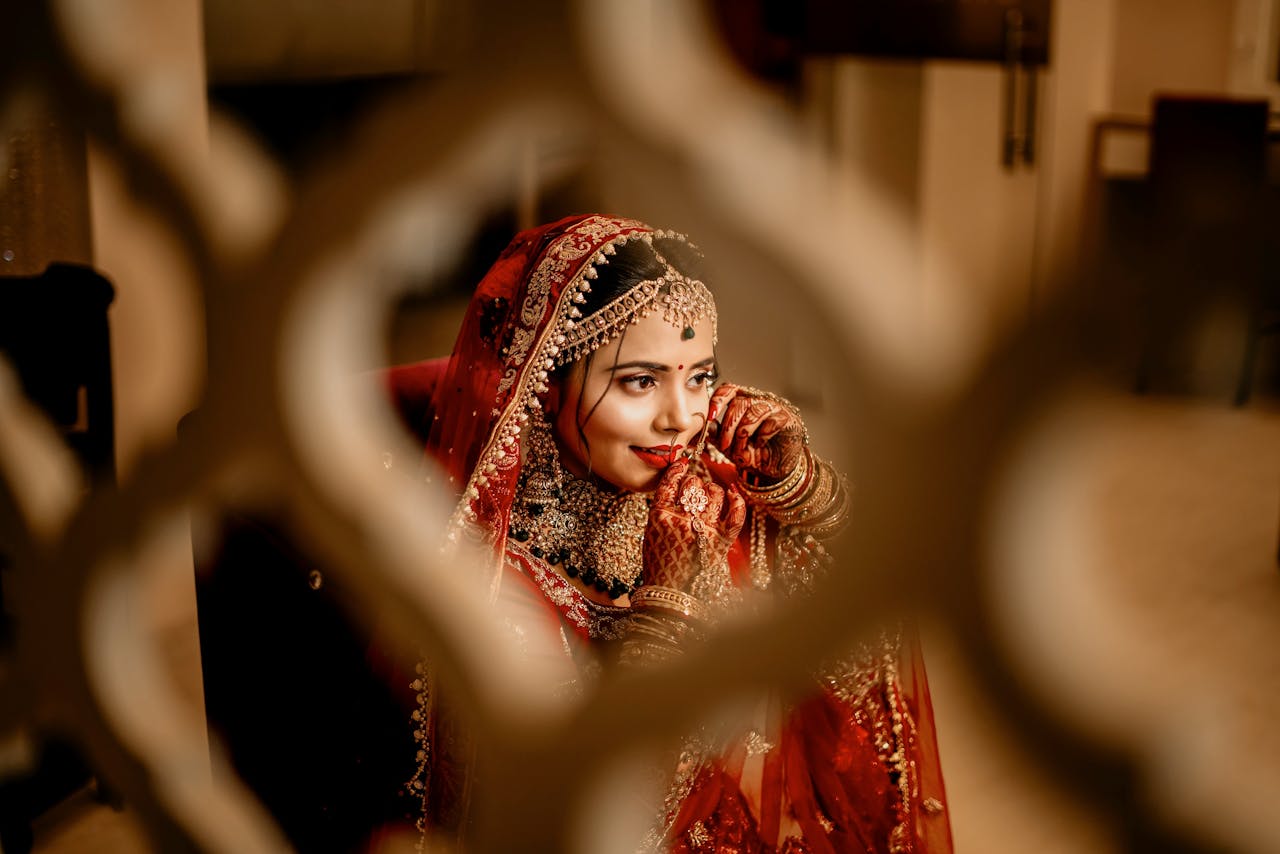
(932, 135)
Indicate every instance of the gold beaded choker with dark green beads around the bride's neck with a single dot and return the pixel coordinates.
(593, 536)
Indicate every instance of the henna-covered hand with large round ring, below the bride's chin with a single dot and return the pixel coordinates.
(693, 523)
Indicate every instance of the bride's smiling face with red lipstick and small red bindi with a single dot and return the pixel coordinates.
(639, 404)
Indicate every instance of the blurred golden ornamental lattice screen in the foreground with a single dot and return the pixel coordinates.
(963, 442)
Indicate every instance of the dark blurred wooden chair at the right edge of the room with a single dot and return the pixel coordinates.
(1195, 232)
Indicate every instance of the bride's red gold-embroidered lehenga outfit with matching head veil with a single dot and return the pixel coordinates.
(852, 769)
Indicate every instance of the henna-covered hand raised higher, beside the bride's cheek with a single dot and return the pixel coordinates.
(761, 435)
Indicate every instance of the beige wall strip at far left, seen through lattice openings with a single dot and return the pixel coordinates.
(157, 323)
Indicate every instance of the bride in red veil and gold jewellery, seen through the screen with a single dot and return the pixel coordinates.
(632, 503)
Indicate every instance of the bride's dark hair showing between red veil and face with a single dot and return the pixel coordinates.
(636, 262)
